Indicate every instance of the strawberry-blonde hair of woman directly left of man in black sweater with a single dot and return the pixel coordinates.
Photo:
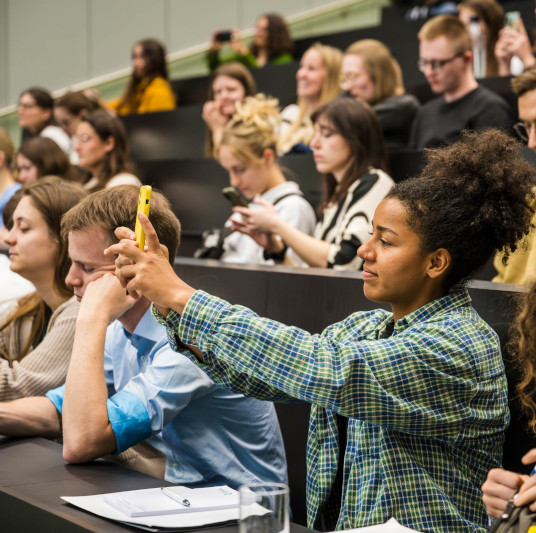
(381, 66)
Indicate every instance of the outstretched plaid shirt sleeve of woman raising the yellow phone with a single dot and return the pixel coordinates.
(415, 381)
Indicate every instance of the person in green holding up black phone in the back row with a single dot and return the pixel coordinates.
(272, 44)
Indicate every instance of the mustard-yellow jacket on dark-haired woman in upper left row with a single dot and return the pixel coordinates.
(150, 96)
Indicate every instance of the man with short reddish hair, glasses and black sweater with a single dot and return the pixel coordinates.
(446, 60)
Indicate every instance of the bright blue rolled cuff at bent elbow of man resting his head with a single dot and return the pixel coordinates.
(129, 419)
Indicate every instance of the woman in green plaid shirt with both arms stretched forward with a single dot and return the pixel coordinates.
(409, 408)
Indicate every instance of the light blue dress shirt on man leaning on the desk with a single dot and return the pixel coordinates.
(209, 435)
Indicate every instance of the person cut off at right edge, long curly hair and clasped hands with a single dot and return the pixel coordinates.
(501, 485)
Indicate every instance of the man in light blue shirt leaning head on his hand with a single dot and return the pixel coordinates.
(208, 435)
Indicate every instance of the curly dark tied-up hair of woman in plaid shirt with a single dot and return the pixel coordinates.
(472, 198)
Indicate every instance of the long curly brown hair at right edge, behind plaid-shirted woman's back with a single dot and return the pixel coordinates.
(522, 347)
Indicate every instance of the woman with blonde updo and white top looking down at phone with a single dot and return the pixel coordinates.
(248, 151)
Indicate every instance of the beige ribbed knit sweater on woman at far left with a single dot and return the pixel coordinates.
(45, 367)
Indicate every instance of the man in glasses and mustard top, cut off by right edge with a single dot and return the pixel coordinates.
(521, 265)
